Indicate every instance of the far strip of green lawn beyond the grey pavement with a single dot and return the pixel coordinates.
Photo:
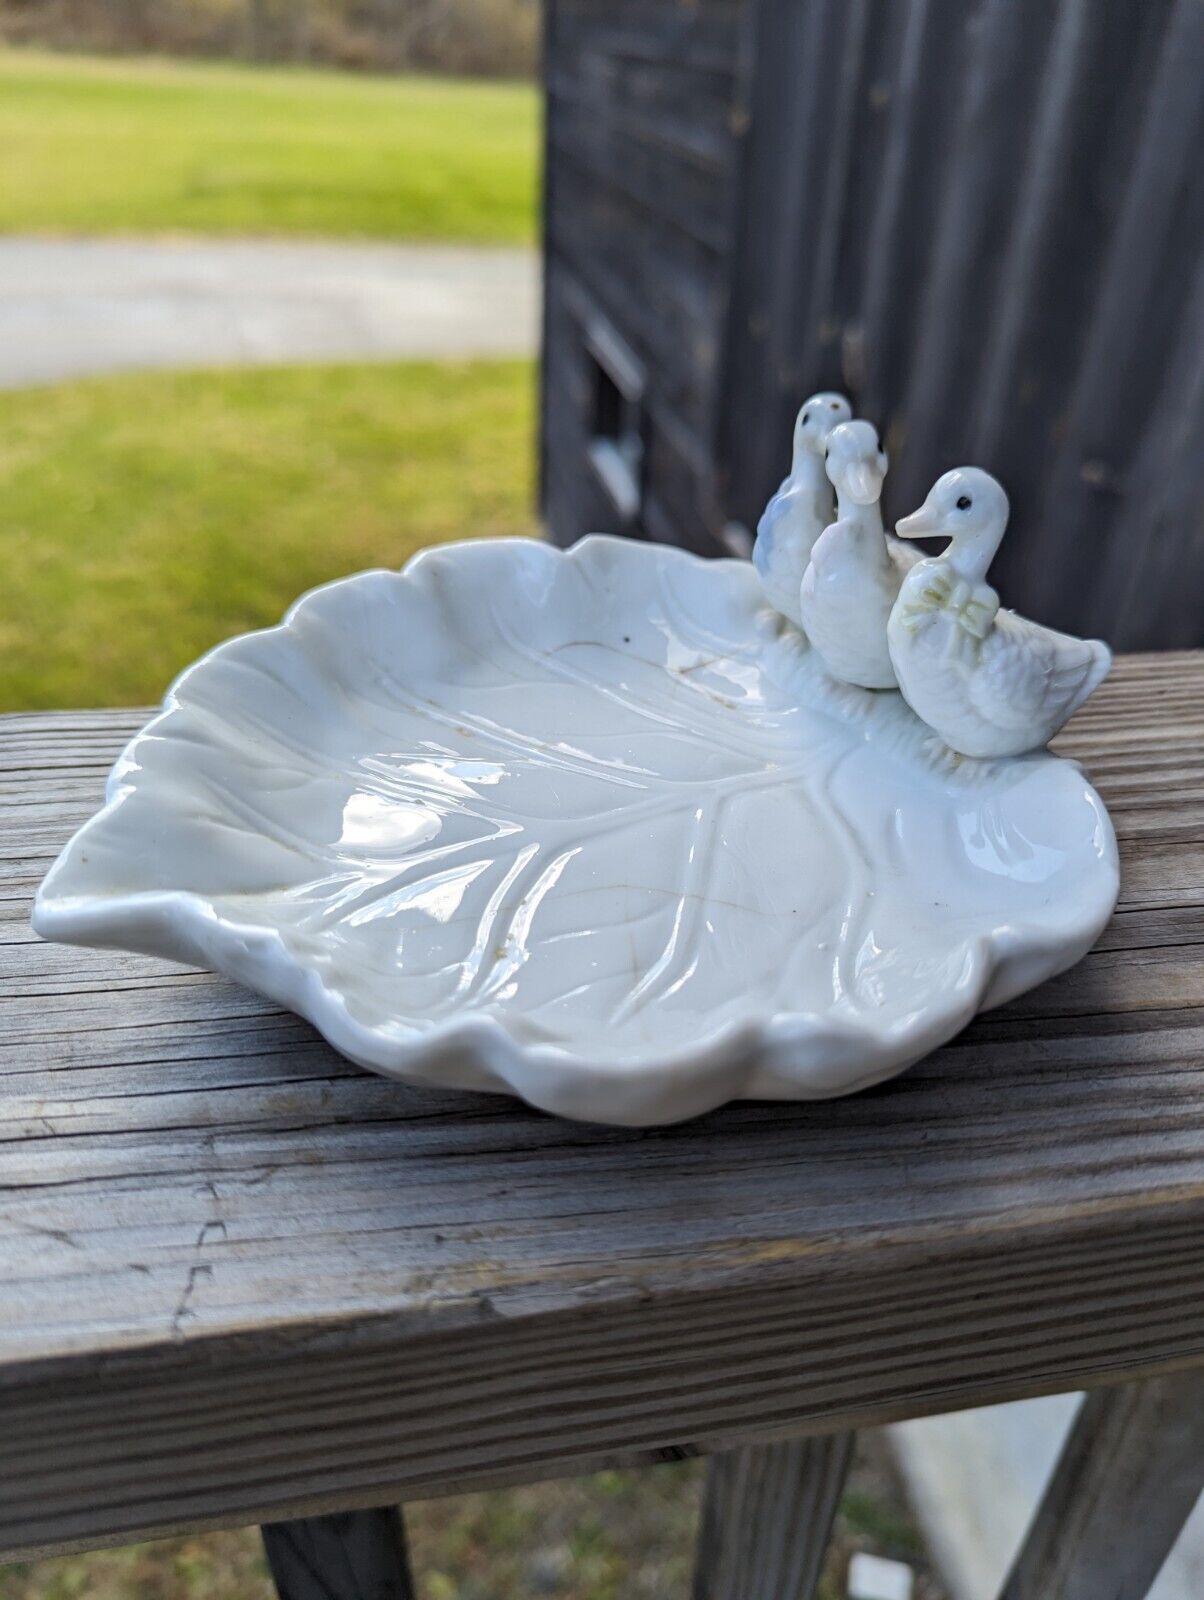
(146, 146)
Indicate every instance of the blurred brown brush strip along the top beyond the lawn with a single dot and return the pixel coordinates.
(473, 38)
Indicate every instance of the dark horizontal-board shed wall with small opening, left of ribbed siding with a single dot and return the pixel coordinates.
(641, 138)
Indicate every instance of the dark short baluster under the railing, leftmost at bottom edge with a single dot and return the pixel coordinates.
(348, 1556)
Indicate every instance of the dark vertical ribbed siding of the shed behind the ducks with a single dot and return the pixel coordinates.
(984, 218)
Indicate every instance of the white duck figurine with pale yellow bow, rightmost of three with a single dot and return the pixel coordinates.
(987, 681)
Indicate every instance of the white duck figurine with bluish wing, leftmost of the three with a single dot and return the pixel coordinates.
(801, 510)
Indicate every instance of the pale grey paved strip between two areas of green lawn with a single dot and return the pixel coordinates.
(70, 308)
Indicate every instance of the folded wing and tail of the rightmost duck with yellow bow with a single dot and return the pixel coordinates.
(1033, 676)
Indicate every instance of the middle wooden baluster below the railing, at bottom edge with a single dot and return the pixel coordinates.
(768, 1519)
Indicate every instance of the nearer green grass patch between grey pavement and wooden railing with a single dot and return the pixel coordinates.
(146, 518)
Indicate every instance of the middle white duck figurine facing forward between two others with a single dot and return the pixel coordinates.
(854, 574)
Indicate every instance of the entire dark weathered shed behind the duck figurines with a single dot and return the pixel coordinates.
(981, 218)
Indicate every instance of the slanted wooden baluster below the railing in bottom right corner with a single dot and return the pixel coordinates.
(1126, 1481)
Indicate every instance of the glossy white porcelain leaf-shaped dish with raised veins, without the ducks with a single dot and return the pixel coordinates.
(588, 826)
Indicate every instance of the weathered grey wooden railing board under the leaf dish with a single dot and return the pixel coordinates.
(244, 1281)
